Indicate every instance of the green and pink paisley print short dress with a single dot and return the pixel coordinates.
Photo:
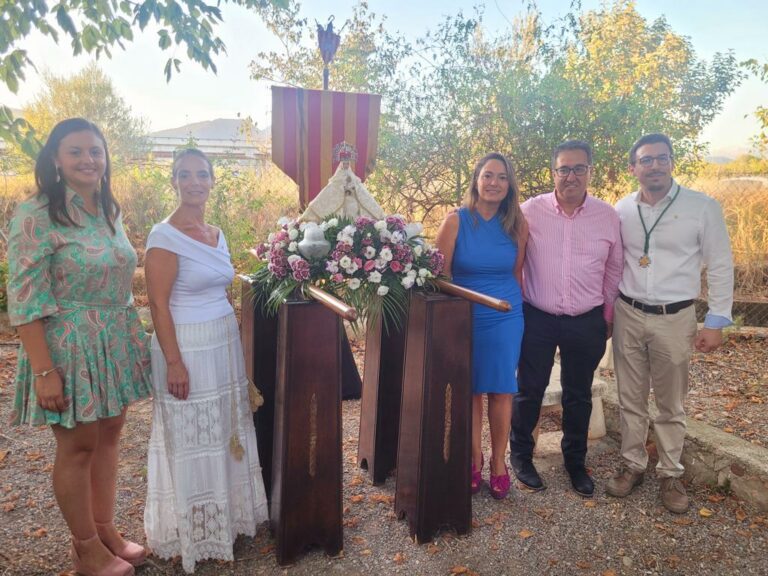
(77, 280)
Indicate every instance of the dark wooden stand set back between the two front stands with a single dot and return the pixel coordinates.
(380, 407)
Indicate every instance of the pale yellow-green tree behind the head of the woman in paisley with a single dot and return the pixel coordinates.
(89, 94)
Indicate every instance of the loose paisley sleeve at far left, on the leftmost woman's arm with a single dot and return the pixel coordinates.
(30, 253)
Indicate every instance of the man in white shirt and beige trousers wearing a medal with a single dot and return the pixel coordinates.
(669, 234)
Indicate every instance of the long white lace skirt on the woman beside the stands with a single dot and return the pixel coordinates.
(199, 497)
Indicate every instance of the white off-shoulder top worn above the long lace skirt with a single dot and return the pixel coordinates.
(199, 292)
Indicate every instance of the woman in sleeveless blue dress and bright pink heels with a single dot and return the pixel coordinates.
(484, 246)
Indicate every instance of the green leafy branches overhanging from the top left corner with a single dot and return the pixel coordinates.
(96, 27)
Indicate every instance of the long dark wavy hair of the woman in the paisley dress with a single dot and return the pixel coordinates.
(54, 188)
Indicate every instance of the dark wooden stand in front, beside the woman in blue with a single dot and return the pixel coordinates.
(434, 448)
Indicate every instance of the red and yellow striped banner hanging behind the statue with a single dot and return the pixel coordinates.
(307, 124)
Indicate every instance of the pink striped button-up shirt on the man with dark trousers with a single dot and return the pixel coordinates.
(572, 263)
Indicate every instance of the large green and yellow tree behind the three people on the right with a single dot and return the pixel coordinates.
(604, 76)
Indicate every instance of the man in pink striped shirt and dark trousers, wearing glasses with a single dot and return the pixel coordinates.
(573, 264)
